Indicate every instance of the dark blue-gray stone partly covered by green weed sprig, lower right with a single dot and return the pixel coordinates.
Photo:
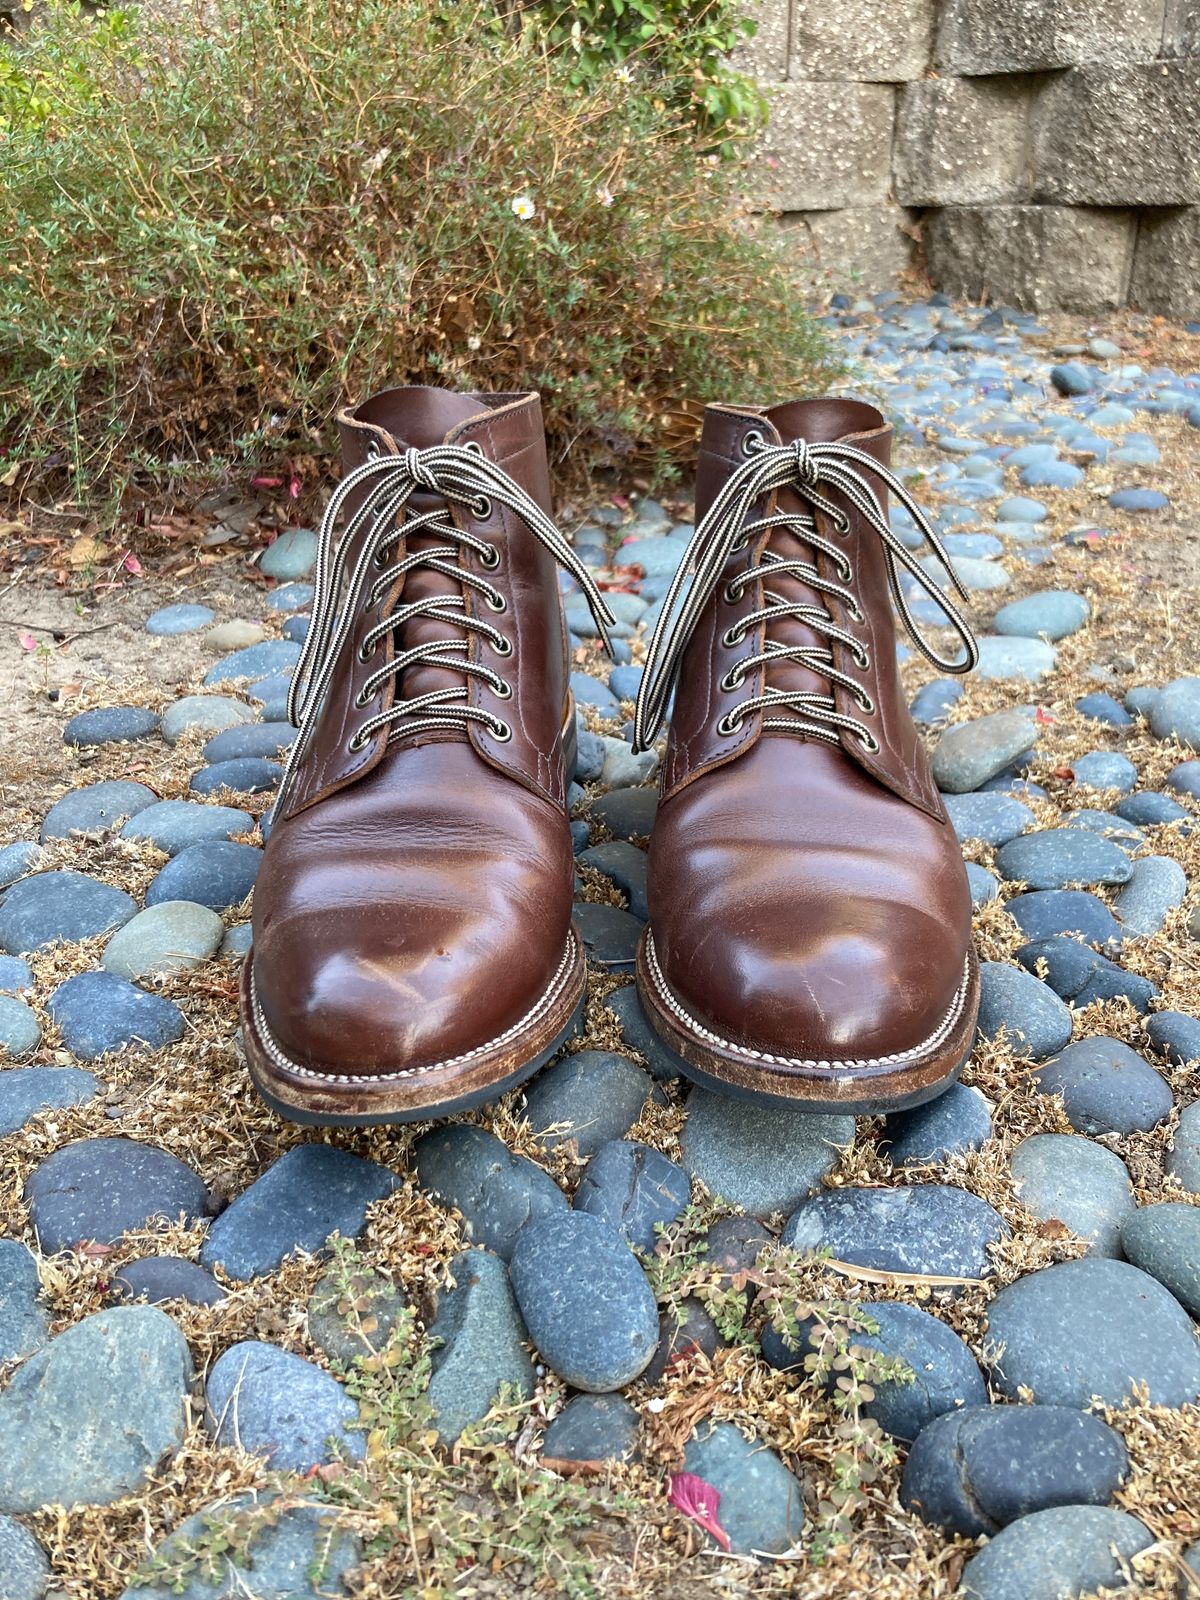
(945, 1374)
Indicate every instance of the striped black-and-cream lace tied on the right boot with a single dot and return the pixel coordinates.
(804, 470)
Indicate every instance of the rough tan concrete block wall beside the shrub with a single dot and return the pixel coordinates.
(1041, 153)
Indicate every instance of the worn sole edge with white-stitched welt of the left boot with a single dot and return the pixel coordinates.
(329, 1100)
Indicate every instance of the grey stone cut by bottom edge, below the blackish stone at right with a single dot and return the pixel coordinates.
(1052, 1554)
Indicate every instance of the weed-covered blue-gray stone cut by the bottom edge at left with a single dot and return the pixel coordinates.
(268, 1548)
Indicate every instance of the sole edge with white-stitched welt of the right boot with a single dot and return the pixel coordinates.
(858, 1089)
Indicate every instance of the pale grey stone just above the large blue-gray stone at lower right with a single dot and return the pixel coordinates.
(1081, 1183)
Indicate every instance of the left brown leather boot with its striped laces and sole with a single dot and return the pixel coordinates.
(414, 948)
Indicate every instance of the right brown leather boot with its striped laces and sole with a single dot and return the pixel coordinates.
(810, 922)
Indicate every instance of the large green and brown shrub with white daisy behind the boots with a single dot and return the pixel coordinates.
(222, 225)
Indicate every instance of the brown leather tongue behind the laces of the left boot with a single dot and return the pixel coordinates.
(418, 420)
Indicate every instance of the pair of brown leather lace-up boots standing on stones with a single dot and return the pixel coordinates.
(810, 924)
